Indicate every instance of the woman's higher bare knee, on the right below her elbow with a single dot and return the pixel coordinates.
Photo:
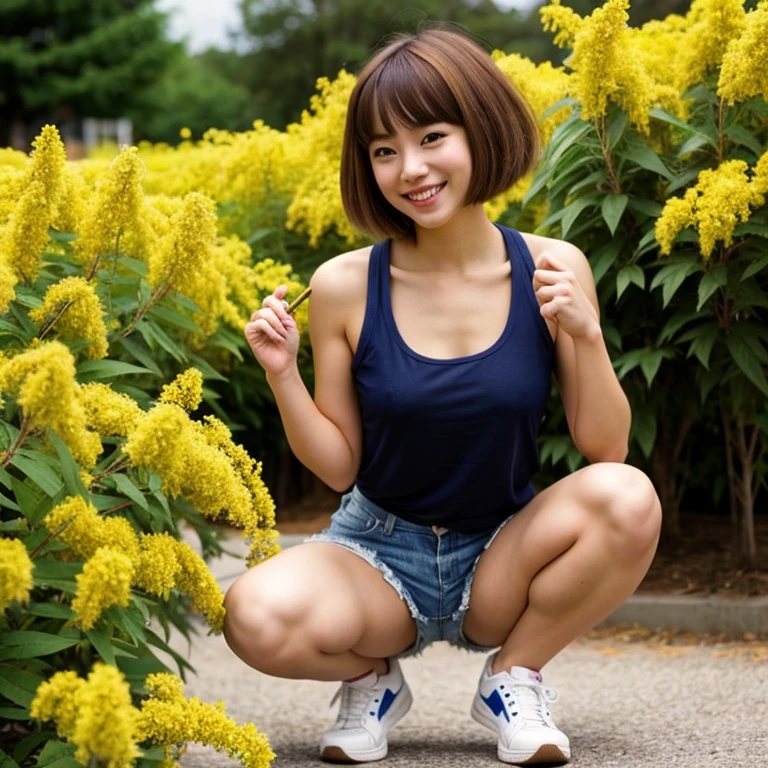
(627, 503)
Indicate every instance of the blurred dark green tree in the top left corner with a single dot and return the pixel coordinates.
(85, 57)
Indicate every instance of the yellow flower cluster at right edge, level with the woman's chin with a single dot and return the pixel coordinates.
(720, 199)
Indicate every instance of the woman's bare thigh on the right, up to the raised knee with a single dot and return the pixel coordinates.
(613, 502)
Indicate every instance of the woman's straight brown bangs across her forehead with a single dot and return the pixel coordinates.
(408, 91)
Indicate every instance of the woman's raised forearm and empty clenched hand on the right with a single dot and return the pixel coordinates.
(596, 407)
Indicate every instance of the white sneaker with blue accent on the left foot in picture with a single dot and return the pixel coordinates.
(369, 708)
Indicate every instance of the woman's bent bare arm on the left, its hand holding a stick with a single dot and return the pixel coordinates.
(324, 433)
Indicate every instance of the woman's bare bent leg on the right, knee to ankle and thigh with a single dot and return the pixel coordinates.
(563, 564)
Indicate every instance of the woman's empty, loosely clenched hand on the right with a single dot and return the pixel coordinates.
(562, 299)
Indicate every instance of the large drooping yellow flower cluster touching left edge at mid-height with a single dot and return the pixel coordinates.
(43, 380)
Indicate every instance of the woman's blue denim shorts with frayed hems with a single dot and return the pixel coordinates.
(430, 568)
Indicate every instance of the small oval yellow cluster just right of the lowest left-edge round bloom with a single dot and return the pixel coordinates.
(104, 582)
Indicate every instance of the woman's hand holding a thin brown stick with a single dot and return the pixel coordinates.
(272, 334)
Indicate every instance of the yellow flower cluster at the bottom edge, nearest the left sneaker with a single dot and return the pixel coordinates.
(167, 718)
